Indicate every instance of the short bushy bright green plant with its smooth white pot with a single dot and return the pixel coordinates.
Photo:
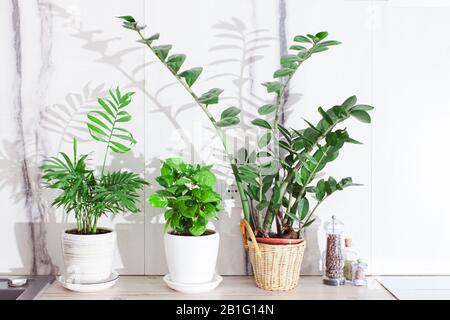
(189, 197)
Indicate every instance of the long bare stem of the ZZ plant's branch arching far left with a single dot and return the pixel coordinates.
(231, 159)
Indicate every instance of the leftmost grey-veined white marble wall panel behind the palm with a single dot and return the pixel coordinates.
(62, 56)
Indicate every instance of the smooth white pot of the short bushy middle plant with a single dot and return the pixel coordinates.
(190, 259)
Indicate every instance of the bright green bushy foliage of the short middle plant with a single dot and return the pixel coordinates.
(188, 195)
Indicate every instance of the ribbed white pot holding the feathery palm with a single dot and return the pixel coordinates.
(88, 258)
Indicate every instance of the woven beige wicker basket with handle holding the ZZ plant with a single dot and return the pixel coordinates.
(275, 267)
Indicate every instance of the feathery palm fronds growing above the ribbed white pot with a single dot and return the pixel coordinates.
(87, 195)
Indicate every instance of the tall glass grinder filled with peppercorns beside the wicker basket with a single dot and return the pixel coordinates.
(333, 255)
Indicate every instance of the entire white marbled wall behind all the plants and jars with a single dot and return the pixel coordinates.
(395, 55)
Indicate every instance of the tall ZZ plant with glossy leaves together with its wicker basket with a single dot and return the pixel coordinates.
(276, 180)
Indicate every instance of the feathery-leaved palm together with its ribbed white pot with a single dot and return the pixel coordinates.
(88, 250)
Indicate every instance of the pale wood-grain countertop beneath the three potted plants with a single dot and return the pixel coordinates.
(232, 287)
